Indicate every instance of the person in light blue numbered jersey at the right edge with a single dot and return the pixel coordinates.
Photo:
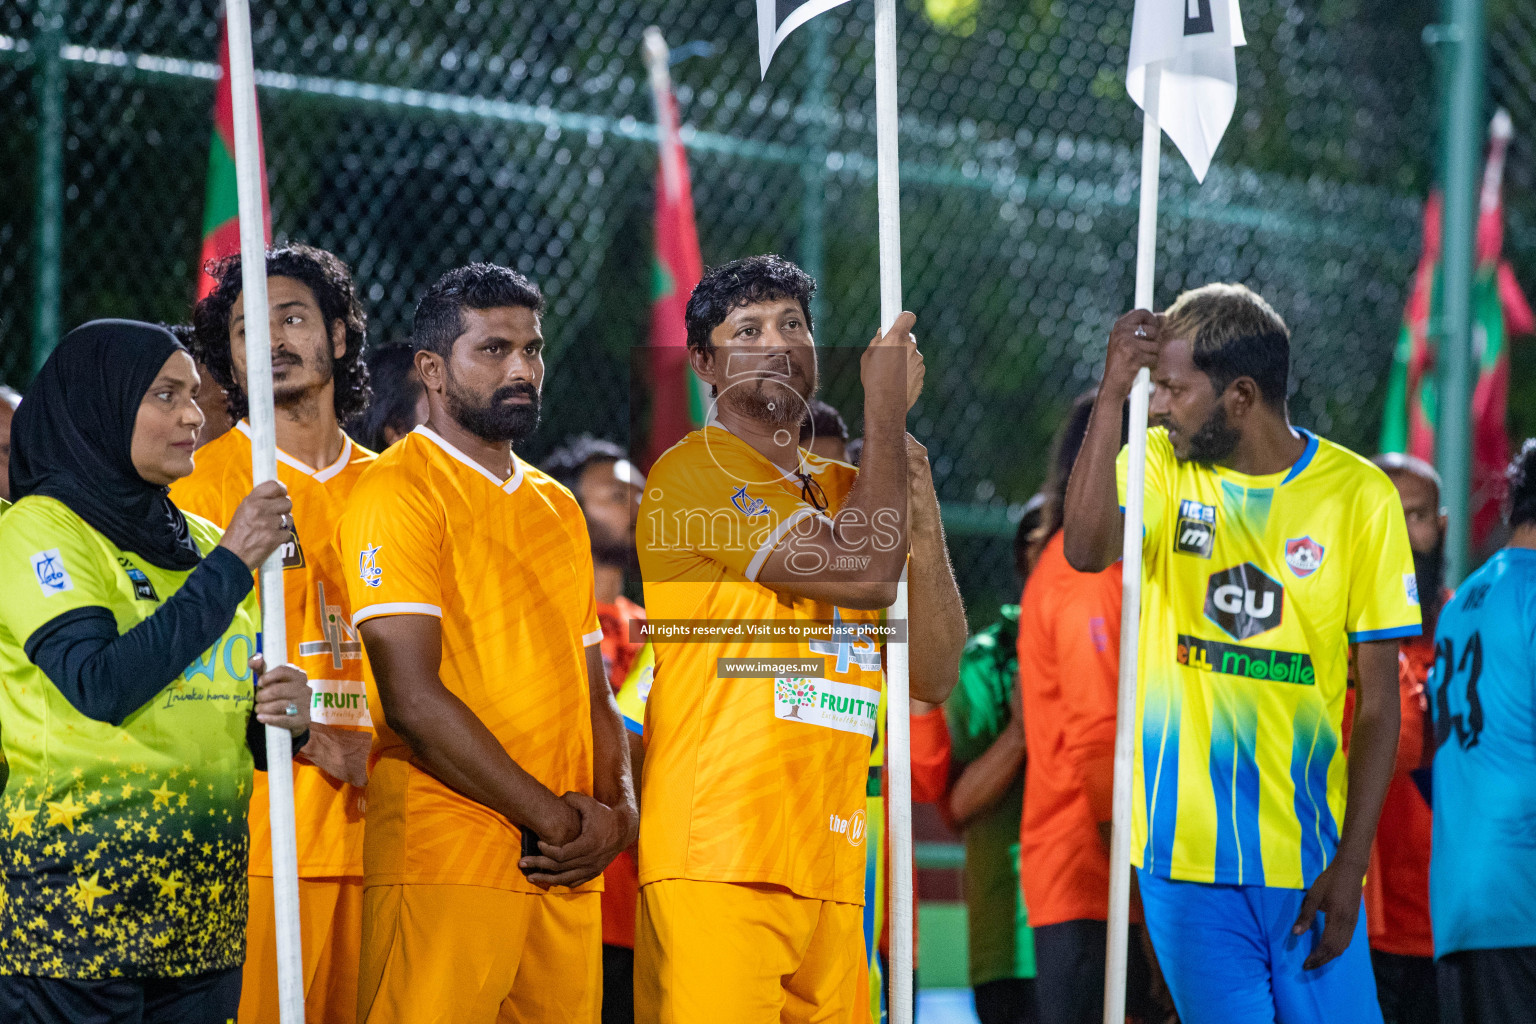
(1483, 698)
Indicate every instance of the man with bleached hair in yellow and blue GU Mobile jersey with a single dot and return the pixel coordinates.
(1266, 553)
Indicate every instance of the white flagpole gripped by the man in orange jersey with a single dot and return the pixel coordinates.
(898, 739)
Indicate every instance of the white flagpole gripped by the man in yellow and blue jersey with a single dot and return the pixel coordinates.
(1131, 575)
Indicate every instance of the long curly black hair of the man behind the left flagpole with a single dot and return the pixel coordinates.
(329, 279)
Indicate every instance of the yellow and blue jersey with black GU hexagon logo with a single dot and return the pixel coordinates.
(1254, 587)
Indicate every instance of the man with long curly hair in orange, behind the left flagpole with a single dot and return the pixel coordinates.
(319, 382)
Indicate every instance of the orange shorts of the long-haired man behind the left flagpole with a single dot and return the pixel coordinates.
(331, 928)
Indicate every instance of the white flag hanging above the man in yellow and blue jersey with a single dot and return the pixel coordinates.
(1197, 44)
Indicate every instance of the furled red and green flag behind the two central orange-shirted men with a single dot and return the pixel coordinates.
(678, 405)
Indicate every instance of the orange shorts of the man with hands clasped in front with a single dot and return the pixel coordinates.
(480, 956)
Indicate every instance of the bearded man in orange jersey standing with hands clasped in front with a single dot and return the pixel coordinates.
(502, 778)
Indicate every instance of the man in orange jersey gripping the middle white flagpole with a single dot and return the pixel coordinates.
(752, 845)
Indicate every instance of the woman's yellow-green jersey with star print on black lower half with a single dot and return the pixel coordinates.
(122, 848)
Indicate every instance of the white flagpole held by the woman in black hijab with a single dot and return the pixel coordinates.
(265, 467)
